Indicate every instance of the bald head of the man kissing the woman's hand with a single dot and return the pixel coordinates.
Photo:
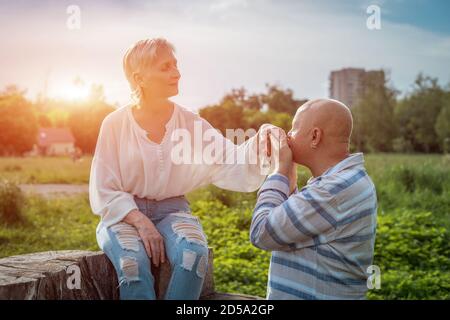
(321, 128)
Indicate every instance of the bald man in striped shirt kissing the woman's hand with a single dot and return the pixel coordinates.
(321, 237)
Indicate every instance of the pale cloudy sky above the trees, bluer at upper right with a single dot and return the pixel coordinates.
(221, 44)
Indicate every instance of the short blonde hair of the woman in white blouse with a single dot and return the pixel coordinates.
(140, 55)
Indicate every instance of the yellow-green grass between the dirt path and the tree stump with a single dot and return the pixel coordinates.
(56, 224)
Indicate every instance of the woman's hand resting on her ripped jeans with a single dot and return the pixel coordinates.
(151, 238)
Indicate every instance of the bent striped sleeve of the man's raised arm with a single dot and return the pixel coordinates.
(284, 223)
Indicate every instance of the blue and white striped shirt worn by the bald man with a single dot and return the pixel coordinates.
(321, 237)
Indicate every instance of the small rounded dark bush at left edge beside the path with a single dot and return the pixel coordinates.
(11, 203)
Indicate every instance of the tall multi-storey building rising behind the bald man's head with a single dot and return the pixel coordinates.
(348, 85)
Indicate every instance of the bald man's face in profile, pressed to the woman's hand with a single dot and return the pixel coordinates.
(298, 139)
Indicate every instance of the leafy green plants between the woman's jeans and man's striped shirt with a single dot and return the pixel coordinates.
(238, 265)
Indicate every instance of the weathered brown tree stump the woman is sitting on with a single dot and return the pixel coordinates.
(53, 275)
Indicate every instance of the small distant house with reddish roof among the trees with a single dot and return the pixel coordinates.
(54, 142)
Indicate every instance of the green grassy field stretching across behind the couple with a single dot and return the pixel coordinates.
(412, 244)
